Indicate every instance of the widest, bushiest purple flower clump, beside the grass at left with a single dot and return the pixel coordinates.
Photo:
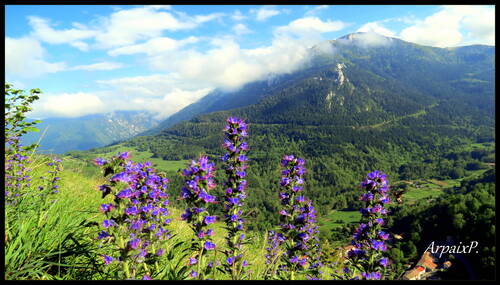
(134, 221)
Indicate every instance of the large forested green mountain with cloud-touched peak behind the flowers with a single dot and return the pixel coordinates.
(361, 103)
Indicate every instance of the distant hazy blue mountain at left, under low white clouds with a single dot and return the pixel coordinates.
(82, 133)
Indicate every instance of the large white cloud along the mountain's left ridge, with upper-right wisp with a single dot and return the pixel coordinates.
(228, 66)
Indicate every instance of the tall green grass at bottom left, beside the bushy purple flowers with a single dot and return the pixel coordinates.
(54, 243)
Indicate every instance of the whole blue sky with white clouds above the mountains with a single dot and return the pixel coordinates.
(90, 59)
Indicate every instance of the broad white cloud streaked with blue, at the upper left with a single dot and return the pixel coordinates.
(121, 28)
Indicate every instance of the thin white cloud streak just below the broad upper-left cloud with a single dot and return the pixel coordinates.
(153, 46)
